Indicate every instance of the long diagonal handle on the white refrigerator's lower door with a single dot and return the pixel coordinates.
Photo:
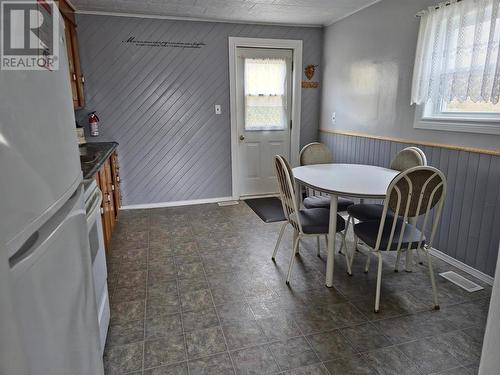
(27, 249)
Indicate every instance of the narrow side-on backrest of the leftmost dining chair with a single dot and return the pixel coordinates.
(287, 190)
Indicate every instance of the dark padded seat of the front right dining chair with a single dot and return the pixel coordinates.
(367, 231)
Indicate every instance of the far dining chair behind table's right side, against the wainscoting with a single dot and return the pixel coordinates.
(405, 159)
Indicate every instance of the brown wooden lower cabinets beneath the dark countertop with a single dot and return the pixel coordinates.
(108, 180)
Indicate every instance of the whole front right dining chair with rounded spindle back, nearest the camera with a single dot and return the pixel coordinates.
(414, 193)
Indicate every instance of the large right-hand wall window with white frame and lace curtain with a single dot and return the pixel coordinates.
(456, 82)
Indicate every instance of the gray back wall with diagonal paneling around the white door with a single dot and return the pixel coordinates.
(158, 103)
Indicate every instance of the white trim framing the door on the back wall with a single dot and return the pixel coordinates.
(296, 47)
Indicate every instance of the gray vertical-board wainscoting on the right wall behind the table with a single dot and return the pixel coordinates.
(470, 226)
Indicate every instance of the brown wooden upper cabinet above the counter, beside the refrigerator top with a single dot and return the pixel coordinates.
(75, 72)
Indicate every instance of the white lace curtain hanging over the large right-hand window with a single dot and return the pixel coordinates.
(458, 53)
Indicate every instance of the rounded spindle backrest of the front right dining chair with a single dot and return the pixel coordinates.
(413, 194)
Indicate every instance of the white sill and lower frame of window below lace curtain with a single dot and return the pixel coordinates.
(431, 117)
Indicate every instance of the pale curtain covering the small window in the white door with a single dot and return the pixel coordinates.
(265, 94)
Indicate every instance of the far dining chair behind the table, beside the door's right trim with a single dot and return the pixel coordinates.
(319, 153)
